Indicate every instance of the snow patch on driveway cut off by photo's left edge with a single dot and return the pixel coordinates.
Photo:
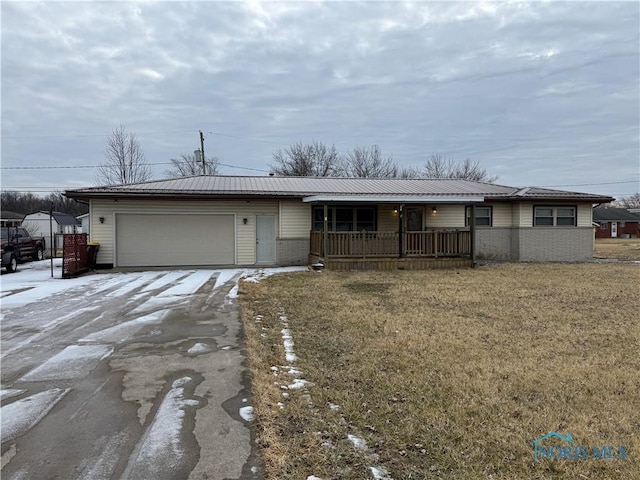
(18, 417)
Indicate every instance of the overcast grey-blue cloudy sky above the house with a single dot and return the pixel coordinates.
(540, 93)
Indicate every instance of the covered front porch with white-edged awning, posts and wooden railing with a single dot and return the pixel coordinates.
(407, 242)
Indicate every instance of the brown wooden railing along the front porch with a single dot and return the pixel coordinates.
(430, 243)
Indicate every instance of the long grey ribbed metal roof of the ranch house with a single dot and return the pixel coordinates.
(273, 186)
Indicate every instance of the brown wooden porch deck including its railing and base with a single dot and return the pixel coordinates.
(392, 250)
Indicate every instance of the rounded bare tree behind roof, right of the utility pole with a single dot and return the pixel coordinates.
(307, 160)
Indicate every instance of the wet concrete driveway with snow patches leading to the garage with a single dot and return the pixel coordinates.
(124, 375)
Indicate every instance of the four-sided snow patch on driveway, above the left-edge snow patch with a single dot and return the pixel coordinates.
(75, 361)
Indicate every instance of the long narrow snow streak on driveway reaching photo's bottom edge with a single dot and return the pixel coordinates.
(160, 451)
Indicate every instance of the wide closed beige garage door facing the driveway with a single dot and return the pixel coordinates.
(144, 240)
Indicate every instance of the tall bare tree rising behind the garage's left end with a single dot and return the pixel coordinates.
(125, 160)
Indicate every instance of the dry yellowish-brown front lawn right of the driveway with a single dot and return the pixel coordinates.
(447, 374)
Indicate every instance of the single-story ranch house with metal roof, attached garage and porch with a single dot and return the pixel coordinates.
(341, 222)
